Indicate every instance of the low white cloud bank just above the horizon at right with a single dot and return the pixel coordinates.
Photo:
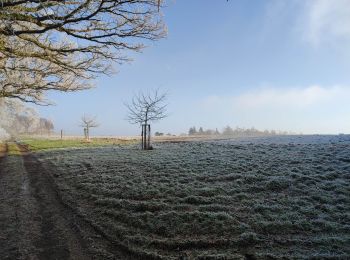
(311, 109)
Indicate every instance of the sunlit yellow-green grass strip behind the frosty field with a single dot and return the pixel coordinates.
(37, 144)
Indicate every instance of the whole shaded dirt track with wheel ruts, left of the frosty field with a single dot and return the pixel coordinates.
(34, 222)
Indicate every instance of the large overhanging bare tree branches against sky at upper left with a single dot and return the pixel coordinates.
(62, 45)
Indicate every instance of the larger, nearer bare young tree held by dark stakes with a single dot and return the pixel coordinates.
(145, 108)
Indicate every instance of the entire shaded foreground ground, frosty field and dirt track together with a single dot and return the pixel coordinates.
(242, 198)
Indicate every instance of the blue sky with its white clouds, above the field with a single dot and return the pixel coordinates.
(273, 64)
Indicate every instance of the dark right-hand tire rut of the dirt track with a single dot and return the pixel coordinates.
(58, 237)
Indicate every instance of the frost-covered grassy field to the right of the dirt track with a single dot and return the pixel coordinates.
(263, 197)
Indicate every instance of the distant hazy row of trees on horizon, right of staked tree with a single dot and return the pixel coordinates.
(229, 131)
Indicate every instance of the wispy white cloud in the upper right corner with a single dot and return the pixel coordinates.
(326, 21)
